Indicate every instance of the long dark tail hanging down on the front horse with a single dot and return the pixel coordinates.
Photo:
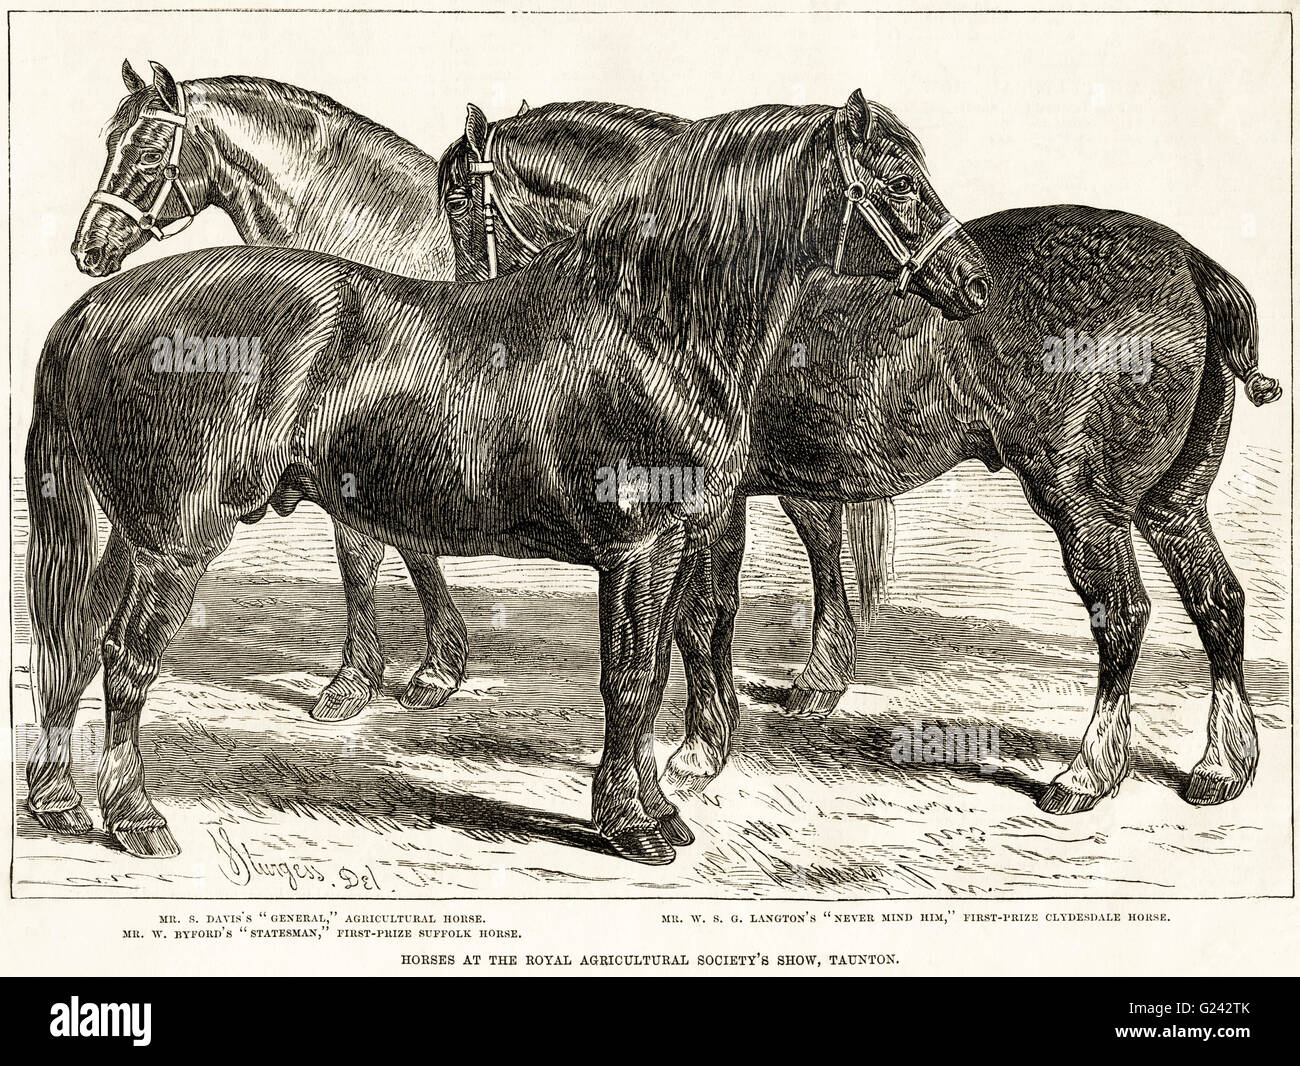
(63, 544)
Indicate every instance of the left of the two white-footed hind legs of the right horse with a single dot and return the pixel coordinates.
(1099, 557)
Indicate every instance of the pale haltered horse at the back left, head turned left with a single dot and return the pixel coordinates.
(292, 168)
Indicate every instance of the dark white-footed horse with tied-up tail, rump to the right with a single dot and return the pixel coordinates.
(889, 396)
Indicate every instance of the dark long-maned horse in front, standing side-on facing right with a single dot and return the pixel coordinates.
(448, 418)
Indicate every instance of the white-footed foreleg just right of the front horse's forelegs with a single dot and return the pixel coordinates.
(705, 631)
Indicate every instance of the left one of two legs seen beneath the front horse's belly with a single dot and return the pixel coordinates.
(361, 677)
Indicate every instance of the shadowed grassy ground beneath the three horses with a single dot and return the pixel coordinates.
(489, 795)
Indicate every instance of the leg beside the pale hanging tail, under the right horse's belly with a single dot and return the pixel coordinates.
(830, 668)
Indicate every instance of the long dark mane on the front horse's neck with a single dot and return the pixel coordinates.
(701, 216)
